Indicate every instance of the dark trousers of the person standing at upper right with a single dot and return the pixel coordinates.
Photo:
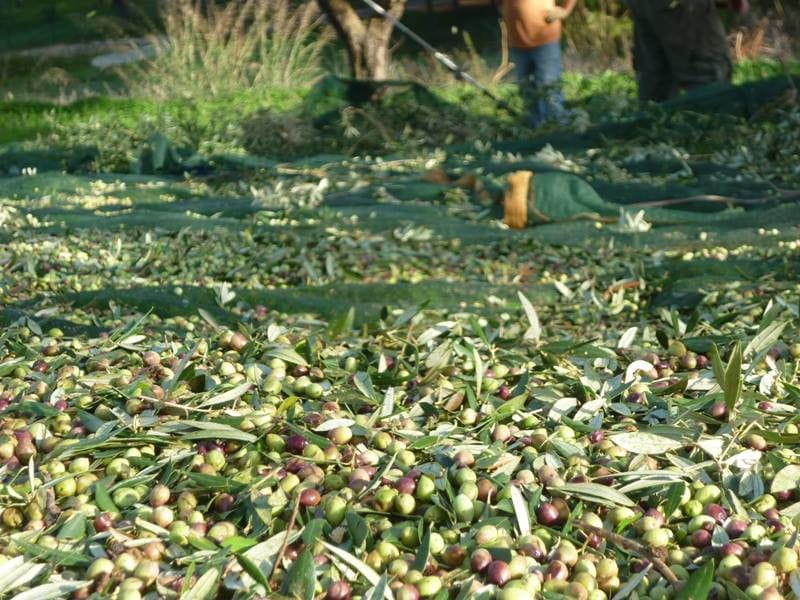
(678, 45)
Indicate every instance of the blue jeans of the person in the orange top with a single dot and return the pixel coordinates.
(539, 76)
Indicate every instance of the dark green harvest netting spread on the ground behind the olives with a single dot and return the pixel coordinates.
(389, 200)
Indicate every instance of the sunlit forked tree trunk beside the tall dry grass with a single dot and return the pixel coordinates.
(366, 40)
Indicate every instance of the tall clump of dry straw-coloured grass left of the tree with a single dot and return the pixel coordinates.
(213, 51)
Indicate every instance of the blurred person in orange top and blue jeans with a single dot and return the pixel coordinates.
(534, 35)
